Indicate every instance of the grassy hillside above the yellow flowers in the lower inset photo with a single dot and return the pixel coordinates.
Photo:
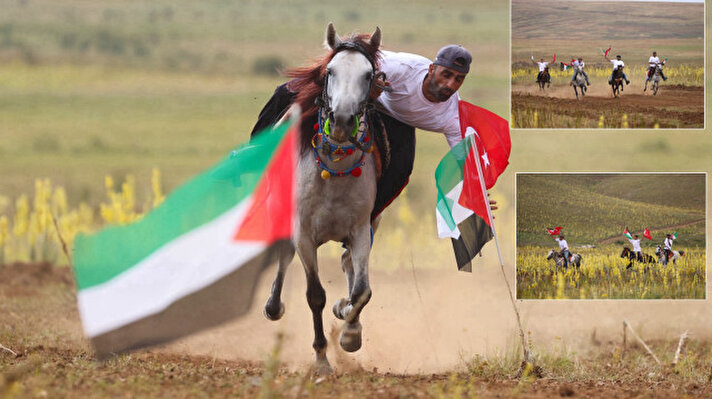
(592, 208)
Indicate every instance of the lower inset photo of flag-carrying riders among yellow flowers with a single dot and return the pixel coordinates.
(611, 235)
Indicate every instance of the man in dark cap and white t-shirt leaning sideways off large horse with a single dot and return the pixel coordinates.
(418, 93)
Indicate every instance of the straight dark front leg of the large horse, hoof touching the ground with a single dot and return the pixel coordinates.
(316, 297)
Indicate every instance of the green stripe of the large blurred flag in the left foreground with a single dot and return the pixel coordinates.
(114, 250)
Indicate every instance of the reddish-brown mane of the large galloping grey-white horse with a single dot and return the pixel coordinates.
(308, 83)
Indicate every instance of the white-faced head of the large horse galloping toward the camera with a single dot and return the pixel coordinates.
(349, 76)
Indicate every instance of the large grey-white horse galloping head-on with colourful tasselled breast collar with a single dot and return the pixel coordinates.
(337, 188)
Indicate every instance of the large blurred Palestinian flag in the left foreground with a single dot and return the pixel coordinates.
(193, 262)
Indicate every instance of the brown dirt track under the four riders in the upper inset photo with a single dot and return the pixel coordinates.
(557, 107)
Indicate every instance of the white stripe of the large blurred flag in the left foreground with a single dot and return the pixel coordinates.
(180, 267)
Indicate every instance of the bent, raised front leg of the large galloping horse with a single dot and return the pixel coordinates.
(360, 246)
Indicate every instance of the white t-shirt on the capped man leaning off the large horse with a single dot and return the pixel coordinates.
(406, 101)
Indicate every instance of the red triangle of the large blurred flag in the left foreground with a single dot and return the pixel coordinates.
(270, 217)
